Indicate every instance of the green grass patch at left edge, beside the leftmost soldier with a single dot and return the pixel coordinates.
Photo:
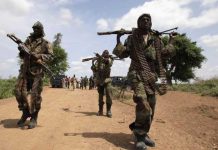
(7, 87)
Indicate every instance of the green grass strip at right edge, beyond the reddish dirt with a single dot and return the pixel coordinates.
(203, 87)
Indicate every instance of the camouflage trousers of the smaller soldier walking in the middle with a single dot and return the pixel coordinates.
(106, 88)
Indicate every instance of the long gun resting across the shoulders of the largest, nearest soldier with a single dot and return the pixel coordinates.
(123, 31)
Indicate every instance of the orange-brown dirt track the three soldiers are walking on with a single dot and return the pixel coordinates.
(68, 121)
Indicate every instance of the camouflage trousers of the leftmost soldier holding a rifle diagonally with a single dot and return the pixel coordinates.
(28, 93)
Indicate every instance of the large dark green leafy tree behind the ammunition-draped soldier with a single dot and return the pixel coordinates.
(187, 57)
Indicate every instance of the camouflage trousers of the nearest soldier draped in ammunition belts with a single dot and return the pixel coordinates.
(145, 107)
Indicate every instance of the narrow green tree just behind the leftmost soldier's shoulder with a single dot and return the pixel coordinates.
(58, 64)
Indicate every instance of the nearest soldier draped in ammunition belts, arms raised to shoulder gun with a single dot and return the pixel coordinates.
(146, 51)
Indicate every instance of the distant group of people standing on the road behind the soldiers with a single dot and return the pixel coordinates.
(79, 83)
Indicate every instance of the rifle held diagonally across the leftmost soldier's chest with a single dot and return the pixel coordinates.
(24, 49)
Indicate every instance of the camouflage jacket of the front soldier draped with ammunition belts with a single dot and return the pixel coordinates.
(150, 53)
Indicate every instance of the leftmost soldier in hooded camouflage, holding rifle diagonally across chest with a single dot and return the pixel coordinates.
(29, 84)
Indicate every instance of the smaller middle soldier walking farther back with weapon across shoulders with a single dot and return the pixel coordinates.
(102, 68)
